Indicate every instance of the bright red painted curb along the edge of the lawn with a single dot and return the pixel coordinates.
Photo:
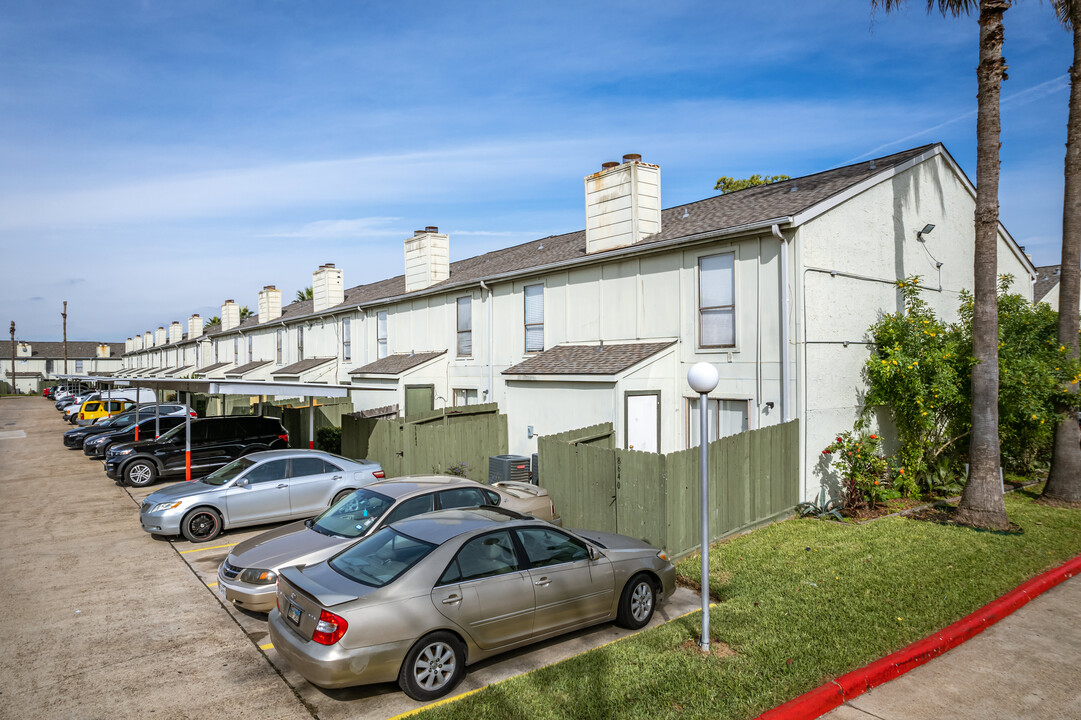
(826, 698)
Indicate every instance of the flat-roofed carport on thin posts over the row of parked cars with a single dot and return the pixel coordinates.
(210, 388)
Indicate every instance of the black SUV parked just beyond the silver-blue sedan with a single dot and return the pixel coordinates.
(216, 442)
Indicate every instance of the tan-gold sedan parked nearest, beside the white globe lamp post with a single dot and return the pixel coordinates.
(418, 601)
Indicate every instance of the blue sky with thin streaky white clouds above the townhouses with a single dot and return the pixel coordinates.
(157, 158)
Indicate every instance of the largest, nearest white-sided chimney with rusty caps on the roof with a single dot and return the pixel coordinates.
(623, 204)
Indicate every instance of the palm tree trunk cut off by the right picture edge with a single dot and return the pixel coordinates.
(1064, 483)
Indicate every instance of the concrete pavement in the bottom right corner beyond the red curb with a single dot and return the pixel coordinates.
(1025, 666)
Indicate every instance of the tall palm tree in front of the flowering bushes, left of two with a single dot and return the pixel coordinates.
(982, 503)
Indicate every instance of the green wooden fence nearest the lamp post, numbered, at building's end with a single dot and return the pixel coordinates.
(754, 479)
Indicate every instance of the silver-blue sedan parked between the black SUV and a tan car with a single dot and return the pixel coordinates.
(266, 487)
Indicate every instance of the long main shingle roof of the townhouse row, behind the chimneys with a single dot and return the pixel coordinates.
(713, 215)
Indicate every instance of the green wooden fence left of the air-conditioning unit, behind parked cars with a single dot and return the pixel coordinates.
(429, 443)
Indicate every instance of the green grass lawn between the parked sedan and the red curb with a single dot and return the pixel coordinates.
(800, 603)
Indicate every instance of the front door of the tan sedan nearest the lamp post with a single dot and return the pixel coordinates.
(571, 590)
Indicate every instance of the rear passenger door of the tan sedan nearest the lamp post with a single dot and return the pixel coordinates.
(487, 593)
